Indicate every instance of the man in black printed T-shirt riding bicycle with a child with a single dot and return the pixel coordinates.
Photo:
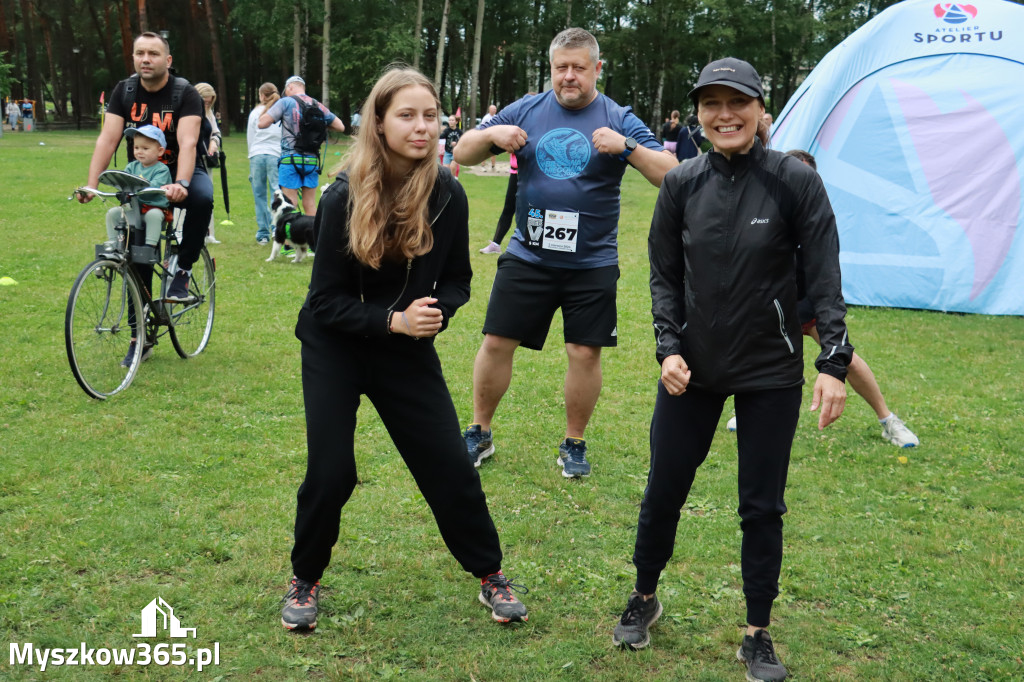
(155, 97)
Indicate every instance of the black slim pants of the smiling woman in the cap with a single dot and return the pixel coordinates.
(681, 434)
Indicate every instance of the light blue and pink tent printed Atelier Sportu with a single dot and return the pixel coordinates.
(917, 122)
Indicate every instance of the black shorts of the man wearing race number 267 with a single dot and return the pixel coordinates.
(525, 297)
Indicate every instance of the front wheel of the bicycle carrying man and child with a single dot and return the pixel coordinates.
(99, 327)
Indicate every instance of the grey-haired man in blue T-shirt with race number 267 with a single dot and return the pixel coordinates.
(573, 145)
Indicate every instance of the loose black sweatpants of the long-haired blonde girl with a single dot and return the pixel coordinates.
(403, 378)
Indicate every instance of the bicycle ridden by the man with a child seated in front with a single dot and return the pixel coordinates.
(101, 320)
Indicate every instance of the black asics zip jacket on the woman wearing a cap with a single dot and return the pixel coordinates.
(723, 280)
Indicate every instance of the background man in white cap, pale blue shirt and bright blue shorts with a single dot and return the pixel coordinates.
(297, 172)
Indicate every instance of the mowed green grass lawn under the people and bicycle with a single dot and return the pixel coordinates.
(900, 565)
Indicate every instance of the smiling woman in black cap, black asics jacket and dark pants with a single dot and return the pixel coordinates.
(724, 301)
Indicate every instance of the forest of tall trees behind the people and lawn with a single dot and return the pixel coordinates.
(68, 53)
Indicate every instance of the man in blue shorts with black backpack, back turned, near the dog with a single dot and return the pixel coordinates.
(305, 126)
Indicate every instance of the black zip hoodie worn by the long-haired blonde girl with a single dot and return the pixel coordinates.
(349, 297)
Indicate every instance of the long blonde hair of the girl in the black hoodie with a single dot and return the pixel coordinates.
(389, 219)
